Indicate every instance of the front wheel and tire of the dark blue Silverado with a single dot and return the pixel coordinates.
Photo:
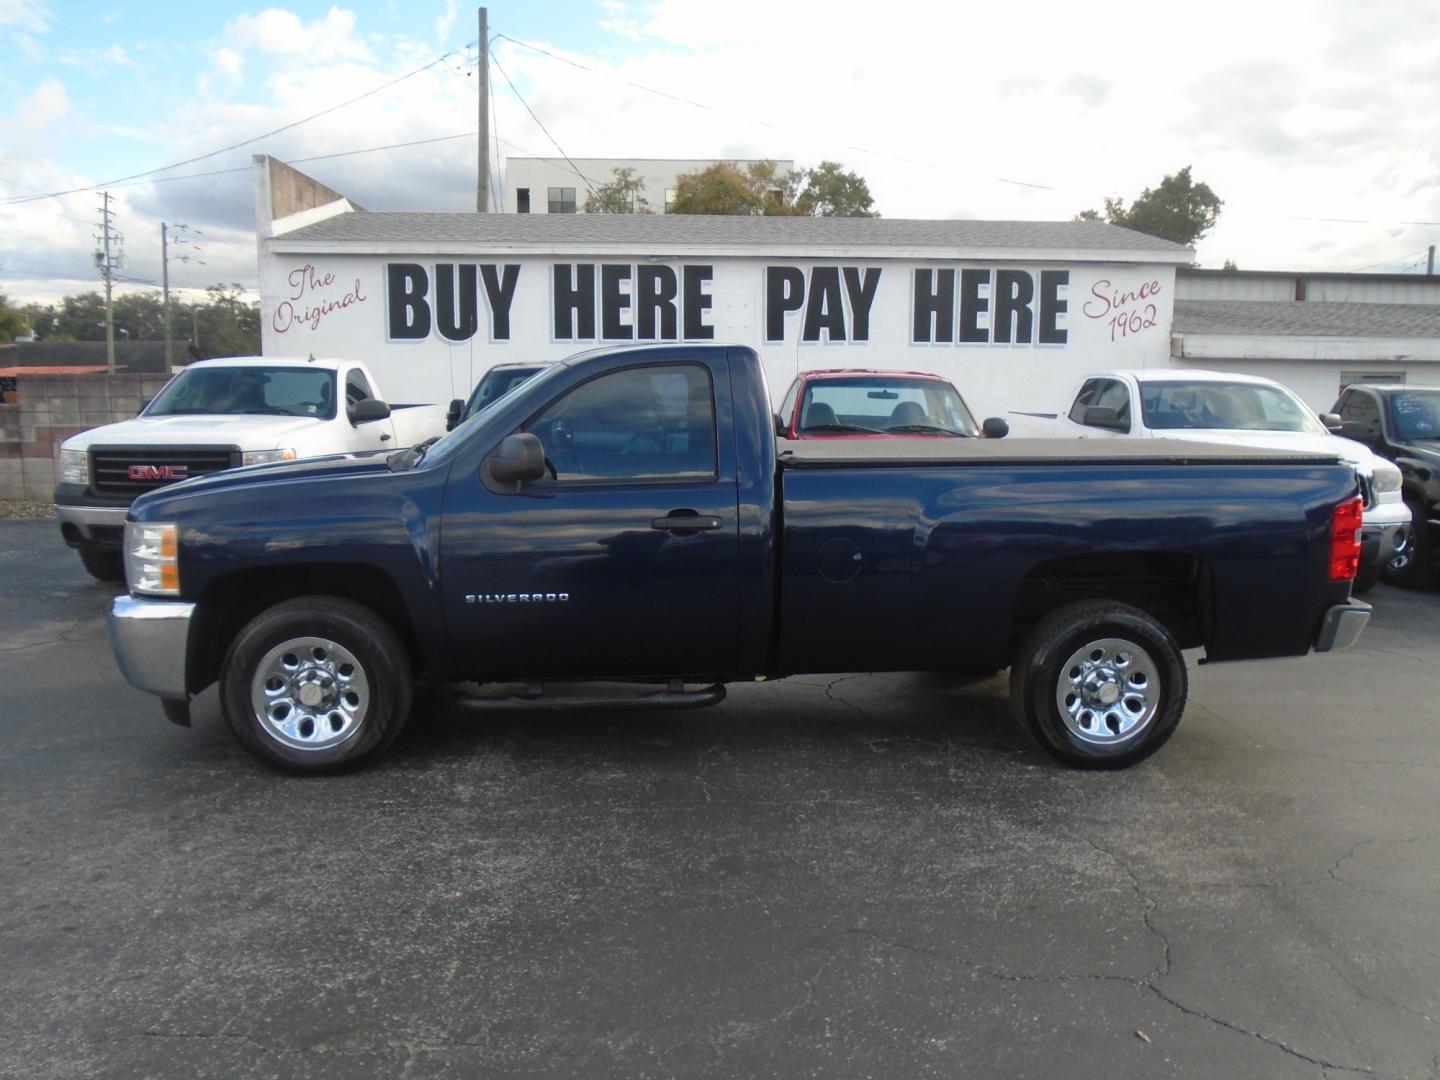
(323, 636)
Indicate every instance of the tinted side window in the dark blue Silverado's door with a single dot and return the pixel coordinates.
(640, 424)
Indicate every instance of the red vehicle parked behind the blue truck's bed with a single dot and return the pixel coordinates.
(865, 405)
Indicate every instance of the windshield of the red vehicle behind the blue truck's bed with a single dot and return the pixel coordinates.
(883, 404)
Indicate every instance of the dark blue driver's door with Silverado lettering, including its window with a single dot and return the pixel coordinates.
(624, 561)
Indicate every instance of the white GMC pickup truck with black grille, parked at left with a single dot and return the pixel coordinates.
(217, 415)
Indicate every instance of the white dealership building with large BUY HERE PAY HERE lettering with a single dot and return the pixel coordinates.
(1014, 313)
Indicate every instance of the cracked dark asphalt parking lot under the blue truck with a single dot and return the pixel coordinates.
(852, 876)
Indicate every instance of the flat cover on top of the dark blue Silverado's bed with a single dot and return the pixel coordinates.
(817, 454)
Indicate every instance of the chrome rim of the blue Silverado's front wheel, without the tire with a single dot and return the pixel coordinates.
(310, 693)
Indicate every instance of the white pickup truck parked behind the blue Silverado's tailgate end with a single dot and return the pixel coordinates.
(1245, 411)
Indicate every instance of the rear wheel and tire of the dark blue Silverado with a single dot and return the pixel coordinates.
(1045, 659)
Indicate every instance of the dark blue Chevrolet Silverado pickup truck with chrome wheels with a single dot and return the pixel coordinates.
(629, 516)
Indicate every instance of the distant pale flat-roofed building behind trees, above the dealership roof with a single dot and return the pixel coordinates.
(557, 185)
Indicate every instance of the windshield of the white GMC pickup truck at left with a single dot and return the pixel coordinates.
(260, 391)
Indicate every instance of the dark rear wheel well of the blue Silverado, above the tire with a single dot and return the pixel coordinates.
(1173, 587)
